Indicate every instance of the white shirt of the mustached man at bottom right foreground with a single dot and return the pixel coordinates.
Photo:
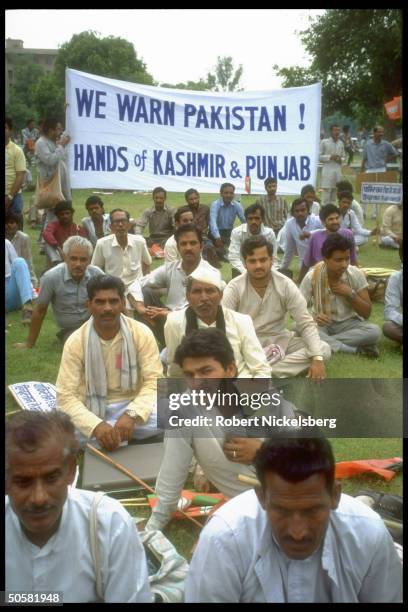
(238, 561)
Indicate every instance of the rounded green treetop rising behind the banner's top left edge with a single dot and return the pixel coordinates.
(111, 57)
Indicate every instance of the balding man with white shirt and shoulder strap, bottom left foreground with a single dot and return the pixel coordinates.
(48, 522)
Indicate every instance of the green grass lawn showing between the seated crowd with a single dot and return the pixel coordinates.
(42, 362)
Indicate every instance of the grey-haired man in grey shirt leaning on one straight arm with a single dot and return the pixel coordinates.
(64, 286)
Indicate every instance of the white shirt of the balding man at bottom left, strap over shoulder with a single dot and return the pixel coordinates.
(65, 562)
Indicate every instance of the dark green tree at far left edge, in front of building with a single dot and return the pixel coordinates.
(21, 104)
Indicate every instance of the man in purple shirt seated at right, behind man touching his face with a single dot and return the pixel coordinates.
(330, 218)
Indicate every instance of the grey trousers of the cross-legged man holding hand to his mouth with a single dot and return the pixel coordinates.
(352, 332)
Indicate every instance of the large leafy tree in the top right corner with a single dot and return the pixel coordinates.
(357, 56)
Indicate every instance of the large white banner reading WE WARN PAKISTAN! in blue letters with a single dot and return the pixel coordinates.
(136, 137)
